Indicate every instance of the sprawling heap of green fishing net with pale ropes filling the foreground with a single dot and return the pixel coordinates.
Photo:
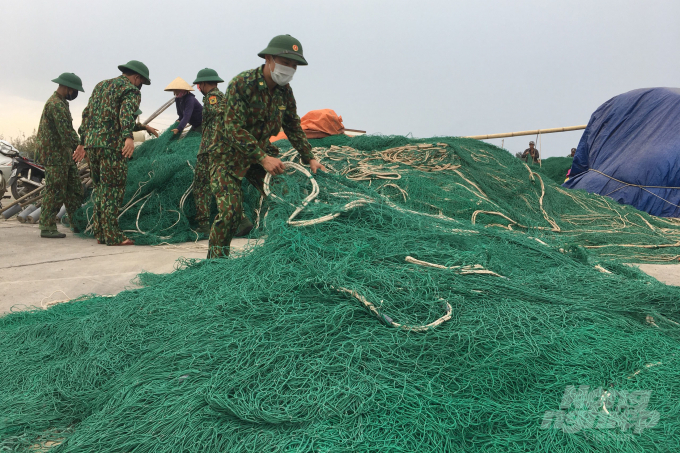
(436, 295)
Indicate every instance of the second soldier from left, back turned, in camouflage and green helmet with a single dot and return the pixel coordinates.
(106, 137)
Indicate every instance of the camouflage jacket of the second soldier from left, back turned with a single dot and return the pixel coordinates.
(109, 117)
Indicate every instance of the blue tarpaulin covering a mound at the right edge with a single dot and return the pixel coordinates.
(630, 151)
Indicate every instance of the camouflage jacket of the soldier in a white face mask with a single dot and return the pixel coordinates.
(252, 115)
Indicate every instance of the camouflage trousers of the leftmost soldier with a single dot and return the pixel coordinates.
(62, 186)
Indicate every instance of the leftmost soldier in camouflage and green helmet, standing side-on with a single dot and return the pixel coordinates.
(56, 141)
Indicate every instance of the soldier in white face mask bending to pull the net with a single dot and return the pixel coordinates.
(259, 102)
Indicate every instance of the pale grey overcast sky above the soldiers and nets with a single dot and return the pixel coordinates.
(424, 68)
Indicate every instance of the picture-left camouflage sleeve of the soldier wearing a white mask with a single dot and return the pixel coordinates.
(235, 118)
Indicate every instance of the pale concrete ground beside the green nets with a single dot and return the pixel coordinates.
(37, 272)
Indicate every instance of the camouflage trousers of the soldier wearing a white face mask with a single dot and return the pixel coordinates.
(227, 190)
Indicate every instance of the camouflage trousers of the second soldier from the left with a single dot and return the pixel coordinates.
(108, 169)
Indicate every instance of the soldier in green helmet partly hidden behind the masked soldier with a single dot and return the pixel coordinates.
(213, 111)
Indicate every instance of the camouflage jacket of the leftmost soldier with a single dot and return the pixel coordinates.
(56, 139)
